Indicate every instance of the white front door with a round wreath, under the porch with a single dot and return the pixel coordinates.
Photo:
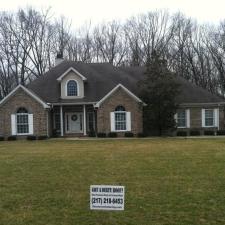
(74, 122)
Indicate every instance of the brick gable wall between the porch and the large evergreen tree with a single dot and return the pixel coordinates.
(120, 97)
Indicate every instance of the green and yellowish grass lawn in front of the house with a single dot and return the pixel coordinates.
(168, 181)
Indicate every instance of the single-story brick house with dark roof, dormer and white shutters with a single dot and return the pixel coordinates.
(74, 98)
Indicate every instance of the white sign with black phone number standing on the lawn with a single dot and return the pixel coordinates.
(107, 197)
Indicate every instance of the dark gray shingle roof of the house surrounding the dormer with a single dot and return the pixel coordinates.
(102, 78)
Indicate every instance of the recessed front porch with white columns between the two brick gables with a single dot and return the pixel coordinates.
(73, 120)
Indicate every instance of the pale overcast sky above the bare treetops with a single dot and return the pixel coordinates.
(81, 11)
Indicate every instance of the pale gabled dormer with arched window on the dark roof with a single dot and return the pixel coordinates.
(72, 84)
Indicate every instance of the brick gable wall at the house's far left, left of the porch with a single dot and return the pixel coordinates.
(22, 99)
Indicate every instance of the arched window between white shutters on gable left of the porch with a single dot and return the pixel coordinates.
(22, 121)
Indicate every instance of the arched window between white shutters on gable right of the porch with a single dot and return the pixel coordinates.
(120, 118)
